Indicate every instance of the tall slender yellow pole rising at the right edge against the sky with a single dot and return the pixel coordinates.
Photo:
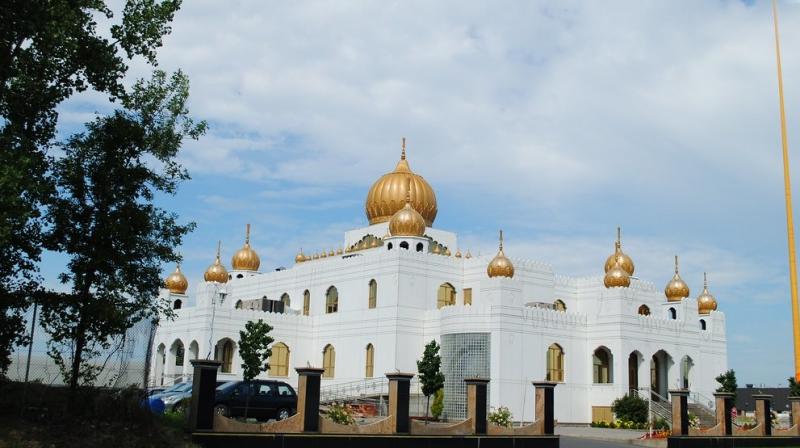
(788, 193)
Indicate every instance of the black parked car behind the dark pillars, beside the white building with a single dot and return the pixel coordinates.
(268, 399)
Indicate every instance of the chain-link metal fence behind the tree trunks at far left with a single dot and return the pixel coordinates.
(124, 364)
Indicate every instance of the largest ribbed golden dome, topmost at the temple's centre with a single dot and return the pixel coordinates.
(387, 195)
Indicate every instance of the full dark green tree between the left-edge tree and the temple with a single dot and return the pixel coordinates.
(104, 219)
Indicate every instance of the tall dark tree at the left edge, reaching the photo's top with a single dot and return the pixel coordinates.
(48, 51)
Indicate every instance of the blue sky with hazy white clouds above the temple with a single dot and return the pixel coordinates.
(556, 121)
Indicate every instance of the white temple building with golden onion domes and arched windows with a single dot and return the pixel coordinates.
(398, 283)
